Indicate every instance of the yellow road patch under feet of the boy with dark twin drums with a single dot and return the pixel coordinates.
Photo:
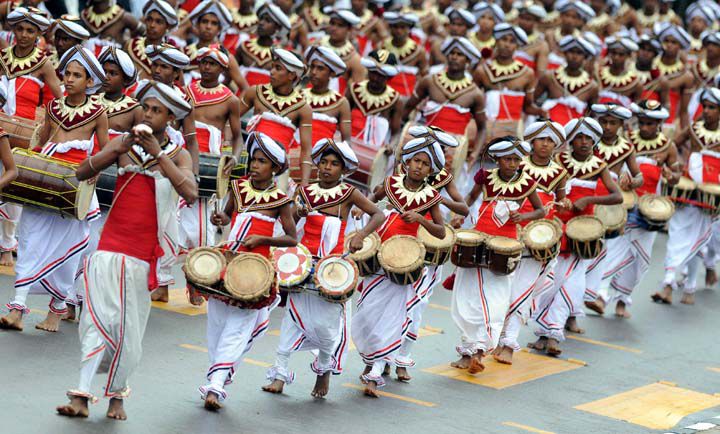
(526, 367)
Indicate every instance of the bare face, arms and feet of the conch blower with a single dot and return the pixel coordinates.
(177, 169)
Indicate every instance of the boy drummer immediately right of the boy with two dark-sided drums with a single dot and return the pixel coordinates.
(532, 279)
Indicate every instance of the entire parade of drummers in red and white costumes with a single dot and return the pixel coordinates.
(289, 156)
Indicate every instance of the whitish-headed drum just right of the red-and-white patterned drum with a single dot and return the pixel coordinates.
(336, 278)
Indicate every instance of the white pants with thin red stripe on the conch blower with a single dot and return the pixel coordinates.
(112, 324)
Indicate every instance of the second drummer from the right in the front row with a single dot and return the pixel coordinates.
(657, 158)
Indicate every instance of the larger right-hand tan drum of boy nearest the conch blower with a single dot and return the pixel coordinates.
(249, 279)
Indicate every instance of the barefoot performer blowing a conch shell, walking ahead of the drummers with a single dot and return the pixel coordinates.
(119, 276)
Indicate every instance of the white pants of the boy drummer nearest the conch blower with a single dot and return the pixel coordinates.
(231, 332)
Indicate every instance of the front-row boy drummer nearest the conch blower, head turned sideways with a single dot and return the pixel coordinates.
(254, 207)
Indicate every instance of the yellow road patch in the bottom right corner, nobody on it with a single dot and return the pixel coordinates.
(655, 406)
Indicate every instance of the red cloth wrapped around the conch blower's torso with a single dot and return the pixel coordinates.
(131, 228)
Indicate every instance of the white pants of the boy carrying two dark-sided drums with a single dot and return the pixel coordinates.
(480, 301)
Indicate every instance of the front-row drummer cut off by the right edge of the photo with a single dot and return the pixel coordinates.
(691, 227)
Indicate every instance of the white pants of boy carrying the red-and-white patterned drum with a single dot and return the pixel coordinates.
(310, 323)
